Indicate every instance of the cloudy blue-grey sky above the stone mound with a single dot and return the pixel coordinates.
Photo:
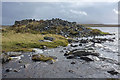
(80, 12)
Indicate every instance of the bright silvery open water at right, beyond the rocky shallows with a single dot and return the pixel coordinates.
(109, 49)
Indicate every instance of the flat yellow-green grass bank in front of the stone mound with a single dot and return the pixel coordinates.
(12, 41)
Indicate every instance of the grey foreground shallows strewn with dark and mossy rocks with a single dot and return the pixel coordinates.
(80, 59)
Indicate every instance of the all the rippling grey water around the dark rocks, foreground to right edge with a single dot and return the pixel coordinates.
(63, 68)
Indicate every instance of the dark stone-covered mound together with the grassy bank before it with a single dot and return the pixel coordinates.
(27, 34)
